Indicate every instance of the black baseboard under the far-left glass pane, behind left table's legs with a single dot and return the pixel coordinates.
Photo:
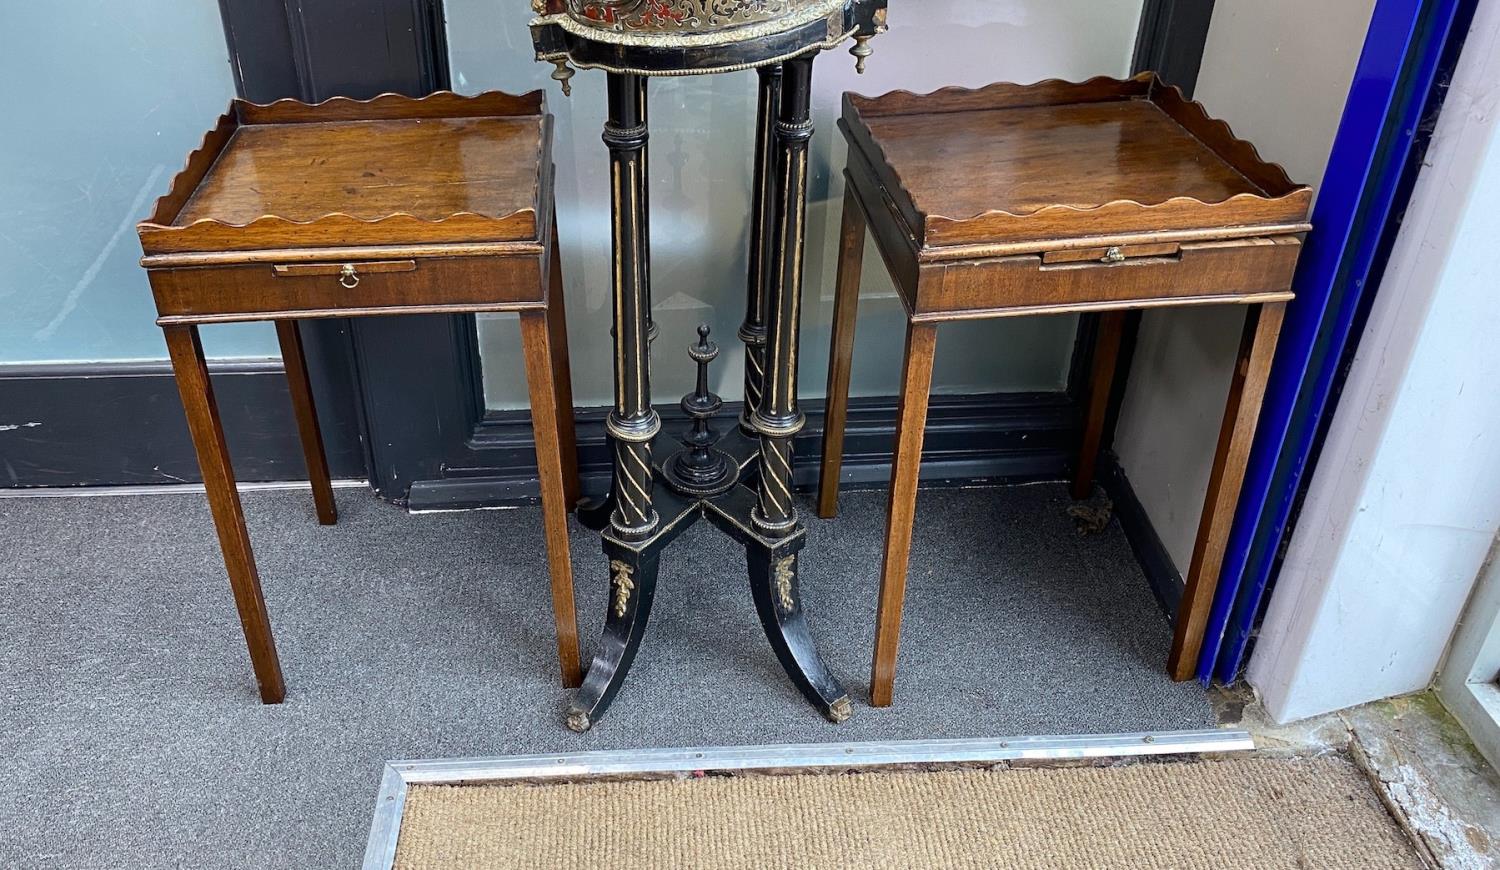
(122, 424)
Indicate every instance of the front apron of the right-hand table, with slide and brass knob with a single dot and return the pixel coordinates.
(1138, 277)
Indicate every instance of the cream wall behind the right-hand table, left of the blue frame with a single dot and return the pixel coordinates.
(1279, 73)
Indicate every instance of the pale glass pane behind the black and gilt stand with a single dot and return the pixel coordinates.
(703, 137)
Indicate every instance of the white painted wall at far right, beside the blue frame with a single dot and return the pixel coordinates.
(1405, 505)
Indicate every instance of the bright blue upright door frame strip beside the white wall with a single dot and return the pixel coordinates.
(1408, 59)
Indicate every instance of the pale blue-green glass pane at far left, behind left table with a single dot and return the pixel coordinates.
(103, 104)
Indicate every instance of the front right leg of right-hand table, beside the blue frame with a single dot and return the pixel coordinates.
(1247, 391)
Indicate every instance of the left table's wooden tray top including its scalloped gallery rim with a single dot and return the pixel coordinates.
(395, 170)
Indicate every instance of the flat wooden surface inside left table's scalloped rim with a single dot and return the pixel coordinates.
(431, 169)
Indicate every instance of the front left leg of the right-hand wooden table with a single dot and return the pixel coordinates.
(922, 343)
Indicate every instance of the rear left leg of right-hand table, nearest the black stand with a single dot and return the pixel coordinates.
(841, 359)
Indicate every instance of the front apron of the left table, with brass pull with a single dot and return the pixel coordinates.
(352, 289)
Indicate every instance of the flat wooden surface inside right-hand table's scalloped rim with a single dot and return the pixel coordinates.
(1025, 160)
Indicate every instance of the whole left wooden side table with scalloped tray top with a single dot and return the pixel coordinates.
(352, 209)
